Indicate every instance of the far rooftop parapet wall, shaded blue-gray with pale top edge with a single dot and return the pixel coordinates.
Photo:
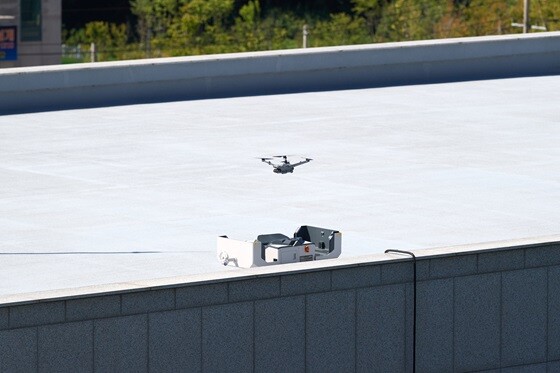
(273, 72)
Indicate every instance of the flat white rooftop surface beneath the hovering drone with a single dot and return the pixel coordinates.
(117, 194)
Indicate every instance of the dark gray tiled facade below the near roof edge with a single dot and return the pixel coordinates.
(498, 313)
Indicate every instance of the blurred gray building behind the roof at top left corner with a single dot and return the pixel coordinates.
(30, 32)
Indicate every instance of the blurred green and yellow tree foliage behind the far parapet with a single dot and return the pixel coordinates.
(192, 27)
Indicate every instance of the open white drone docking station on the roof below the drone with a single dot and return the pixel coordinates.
(308, 244)
